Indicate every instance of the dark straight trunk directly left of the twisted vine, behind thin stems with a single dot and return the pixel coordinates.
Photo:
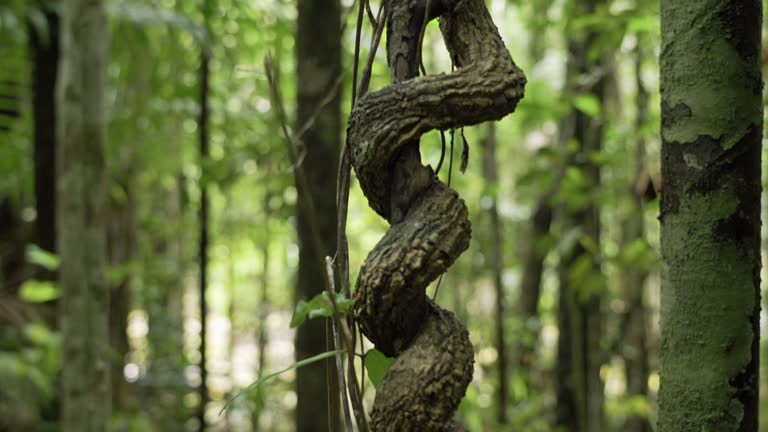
(318, 49)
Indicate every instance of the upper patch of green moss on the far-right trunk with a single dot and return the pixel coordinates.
(705, 72)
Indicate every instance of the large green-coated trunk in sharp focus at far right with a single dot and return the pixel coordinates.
(712, 117)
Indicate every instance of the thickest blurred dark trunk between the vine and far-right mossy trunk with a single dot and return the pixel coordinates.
(580, 354)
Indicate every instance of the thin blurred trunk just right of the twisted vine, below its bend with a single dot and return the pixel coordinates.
(491, 174)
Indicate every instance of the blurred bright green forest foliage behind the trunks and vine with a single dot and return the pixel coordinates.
(155, 179)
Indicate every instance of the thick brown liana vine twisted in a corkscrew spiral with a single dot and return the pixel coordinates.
(429, 222)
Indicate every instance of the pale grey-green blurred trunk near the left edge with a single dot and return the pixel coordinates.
(81, 207)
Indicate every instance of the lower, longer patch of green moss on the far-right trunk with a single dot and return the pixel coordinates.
(707, 306)
